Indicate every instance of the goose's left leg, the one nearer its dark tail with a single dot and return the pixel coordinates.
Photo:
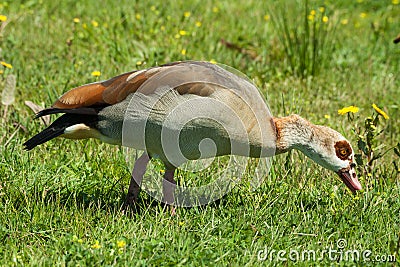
(136, 179)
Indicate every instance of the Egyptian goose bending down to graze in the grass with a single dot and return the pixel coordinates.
(169, 110)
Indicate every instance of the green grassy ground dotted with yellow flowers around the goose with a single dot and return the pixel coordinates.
(60, 203)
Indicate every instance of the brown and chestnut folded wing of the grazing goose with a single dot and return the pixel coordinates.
(189, 77)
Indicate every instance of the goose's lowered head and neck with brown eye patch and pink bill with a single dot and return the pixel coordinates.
(322, 144)
